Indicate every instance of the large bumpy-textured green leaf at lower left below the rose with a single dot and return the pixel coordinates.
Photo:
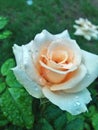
(16, 105)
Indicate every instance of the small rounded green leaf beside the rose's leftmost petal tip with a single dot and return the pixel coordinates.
(8, 64)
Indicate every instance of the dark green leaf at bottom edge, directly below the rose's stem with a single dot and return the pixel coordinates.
(43, 124)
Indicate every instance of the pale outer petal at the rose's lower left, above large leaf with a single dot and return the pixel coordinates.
(32, 87)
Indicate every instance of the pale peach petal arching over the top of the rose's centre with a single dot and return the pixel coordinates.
(67, 45)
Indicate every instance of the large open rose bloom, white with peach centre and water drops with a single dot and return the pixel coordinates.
(54, 66)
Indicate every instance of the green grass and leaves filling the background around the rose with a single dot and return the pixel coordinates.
(18, 110)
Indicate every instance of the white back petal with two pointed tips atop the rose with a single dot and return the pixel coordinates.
(43, 39)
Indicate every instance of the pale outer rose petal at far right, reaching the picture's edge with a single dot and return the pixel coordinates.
(91, 62)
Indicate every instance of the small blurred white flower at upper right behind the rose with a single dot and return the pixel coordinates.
(86, 29)
